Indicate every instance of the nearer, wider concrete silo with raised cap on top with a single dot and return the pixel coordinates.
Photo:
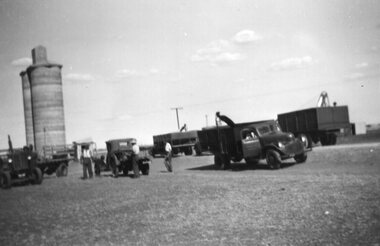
(47, 100)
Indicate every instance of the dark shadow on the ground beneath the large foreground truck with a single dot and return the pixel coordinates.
(240, 166)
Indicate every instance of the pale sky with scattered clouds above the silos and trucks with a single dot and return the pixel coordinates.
(128, 64)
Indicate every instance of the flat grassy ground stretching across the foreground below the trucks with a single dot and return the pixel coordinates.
(332, 199)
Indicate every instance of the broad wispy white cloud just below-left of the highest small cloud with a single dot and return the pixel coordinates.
(220, 51)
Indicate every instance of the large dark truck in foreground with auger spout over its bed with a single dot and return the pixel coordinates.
(251, 141)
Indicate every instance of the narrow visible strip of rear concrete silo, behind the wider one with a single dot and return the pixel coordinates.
(27, 98)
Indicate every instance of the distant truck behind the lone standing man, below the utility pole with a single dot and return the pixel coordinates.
(181, 142)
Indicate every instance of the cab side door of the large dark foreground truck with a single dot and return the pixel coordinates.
(250, 143)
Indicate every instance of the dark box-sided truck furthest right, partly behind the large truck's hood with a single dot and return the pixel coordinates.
(316, 124)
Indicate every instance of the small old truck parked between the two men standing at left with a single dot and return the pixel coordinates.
(119, 157)
